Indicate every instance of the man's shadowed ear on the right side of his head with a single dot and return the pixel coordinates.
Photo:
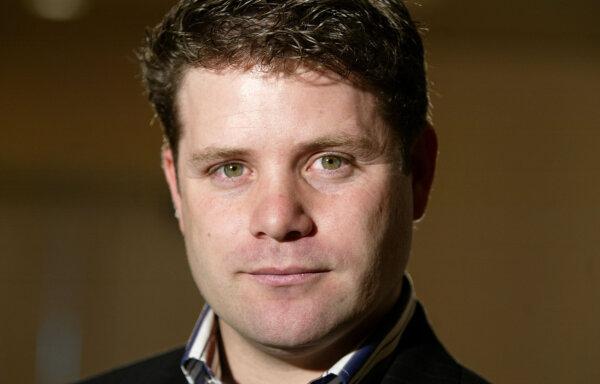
(423, 157)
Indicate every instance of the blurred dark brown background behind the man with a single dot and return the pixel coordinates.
(92, 267)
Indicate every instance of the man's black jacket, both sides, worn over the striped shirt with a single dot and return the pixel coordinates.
(419, 358)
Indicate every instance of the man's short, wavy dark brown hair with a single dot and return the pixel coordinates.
(374, 43)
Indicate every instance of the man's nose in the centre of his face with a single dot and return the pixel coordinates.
(279, 212)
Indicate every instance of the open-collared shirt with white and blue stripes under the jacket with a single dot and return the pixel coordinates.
(349, 369)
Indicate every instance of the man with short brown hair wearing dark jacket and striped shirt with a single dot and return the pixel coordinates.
(298, 154)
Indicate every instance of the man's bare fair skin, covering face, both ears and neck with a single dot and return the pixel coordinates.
(296, 214)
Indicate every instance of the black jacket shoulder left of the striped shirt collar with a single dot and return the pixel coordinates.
(161, 369)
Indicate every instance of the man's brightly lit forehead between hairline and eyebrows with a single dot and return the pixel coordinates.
(255, 104)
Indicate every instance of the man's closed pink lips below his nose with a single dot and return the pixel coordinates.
(277, 277)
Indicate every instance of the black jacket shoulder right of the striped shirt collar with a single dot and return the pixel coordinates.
(421, 359)
